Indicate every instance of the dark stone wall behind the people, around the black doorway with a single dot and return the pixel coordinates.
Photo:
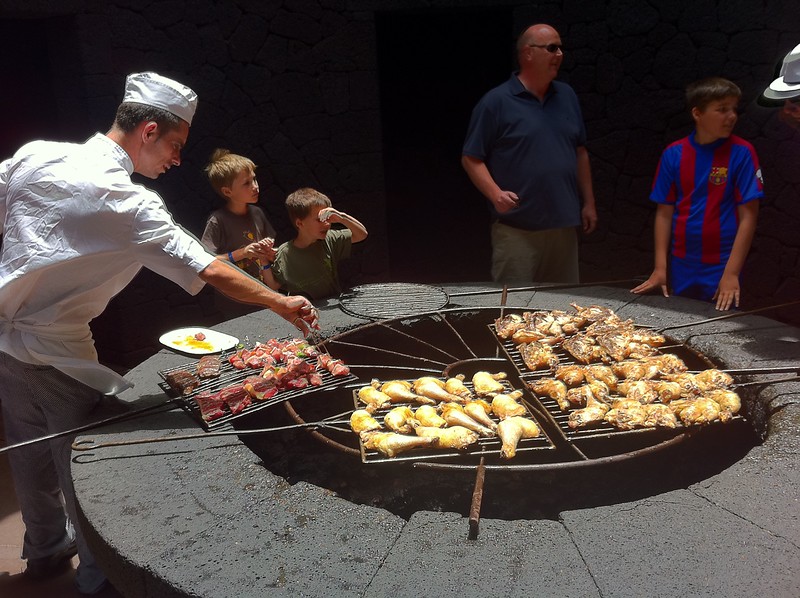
(295, 86)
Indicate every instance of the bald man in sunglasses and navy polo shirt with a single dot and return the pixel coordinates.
(525, 151)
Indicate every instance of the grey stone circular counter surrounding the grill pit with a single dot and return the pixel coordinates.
(203, 517)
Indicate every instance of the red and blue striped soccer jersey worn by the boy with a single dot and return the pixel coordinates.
(706, 183)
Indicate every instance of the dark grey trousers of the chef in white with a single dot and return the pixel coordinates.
(38, 400)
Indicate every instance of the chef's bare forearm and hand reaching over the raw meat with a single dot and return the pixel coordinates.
(242, 287)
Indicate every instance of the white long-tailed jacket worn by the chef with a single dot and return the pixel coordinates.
(76, 230)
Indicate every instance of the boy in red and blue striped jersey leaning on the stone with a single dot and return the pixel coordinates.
(707, 188)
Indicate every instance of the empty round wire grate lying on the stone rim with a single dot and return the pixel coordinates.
(392, 300)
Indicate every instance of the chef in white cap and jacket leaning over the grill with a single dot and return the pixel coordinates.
(75, 231)
